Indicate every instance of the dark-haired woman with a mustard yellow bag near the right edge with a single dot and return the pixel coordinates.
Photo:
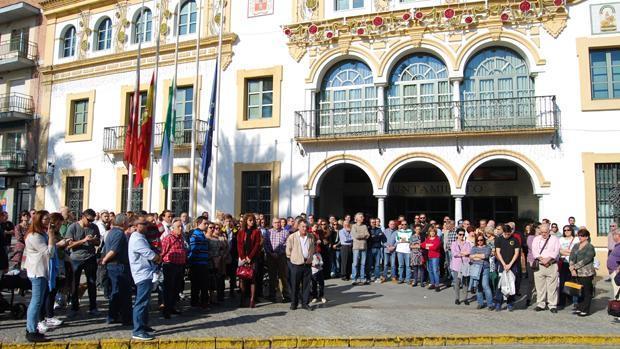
(581, 266)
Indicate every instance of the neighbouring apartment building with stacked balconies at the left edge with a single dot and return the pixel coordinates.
(20, 36)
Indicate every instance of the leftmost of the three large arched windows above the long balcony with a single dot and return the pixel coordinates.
(347, 100)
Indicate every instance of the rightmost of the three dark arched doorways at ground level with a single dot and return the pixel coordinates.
(500, 190)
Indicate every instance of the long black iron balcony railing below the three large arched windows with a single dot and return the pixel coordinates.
(520, 113)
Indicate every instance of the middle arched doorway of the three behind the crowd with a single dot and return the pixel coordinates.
(419, 187)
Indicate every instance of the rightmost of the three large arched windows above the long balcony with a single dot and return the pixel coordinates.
(497, 90)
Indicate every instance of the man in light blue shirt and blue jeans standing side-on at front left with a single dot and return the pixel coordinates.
(142, 261)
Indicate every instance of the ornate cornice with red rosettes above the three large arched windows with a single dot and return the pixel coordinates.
(454, 18)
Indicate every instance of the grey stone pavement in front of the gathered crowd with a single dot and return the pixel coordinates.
(373, 310)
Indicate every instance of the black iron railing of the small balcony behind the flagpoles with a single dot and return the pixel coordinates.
(114, 137)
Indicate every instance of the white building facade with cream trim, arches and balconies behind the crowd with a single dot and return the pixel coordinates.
(476, 109)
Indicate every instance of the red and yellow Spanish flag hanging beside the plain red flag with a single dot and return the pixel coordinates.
(146, 134)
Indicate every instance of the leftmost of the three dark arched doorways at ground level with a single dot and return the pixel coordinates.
(345, 189)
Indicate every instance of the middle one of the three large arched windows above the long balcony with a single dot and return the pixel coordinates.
(419, 94)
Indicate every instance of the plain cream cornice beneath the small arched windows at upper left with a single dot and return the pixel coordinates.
(126, 61)
